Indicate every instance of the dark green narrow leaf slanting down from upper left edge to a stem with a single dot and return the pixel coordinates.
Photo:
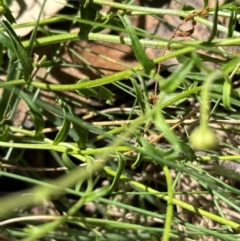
(21, 53)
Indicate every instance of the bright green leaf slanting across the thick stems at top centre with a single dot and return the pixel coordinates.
(137, 47)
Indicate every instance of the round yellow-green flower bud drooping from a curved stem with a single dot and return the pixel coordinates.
(203, 138)
